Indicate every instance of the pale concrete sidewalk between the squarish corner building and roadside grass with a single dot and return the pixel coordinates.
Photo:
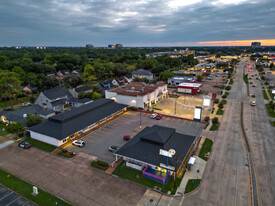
(192, 174)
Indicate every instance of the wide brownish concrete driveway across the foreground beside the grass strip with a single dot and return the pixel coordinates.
(71, 180)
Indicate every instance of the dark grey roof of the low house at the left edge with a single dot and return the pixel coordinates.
(17, 115)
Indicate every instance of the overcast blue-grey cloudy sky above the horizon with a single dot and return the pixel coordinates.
(136, 22)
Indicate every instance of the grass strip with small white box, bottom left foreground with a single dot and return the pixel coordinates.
(25, 189)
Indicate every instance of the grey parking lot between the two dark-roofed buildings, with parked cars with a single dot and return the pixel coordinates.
(98, 141)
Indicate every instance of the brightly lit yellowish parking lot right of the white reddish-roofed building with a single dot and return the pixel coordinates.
(184, 106)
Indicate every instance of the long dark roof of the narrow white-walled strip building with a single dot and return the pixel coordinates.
(65, 124)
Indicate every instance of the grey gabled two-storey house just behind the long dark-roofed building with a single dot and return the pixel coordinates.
(59, 99)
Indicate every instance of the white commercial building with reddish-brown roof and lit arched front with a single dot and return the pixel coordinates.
(138, 94)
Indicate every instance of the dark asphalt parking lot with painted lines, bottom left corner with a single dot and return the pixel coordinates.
(10, 198)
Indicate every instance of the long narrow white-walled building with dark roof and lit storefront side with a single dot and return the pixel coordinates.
(68, 125)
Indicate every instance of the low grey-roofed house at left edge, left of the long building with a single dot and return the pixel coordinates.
(20, 115)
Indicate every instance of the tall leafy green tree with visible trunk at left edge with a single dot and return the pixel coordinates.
(9, 84)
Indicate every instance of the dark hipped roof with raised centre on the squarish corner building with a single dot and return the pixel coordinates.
(145, 145)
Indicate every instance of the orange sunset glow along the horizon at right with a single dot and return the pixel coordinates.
(264, 42)
